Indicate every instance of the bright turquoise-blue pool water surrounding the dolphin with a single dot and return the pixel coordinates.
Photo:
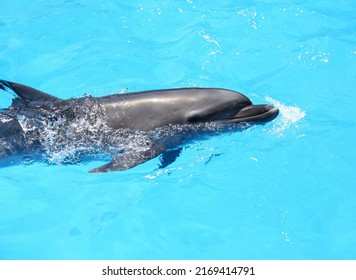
(286, 190)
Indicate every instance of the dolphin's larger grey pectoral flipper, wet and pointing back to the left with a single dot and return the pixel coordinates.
(130, 159)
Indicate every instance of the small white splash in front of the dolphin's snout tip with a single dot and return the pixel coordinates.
(289, 117)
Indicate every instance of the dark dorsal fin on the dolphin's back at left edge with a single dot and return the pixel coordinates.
(27, 93)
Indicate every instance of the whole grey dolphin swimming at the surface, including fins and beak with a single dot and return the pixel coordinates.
(132, 128)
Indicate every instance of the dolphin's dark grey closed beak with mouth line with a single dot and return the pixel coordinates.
(255, 113)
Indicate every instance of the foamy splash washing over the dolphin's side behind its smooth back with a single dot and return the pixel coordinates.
(84, 133)
